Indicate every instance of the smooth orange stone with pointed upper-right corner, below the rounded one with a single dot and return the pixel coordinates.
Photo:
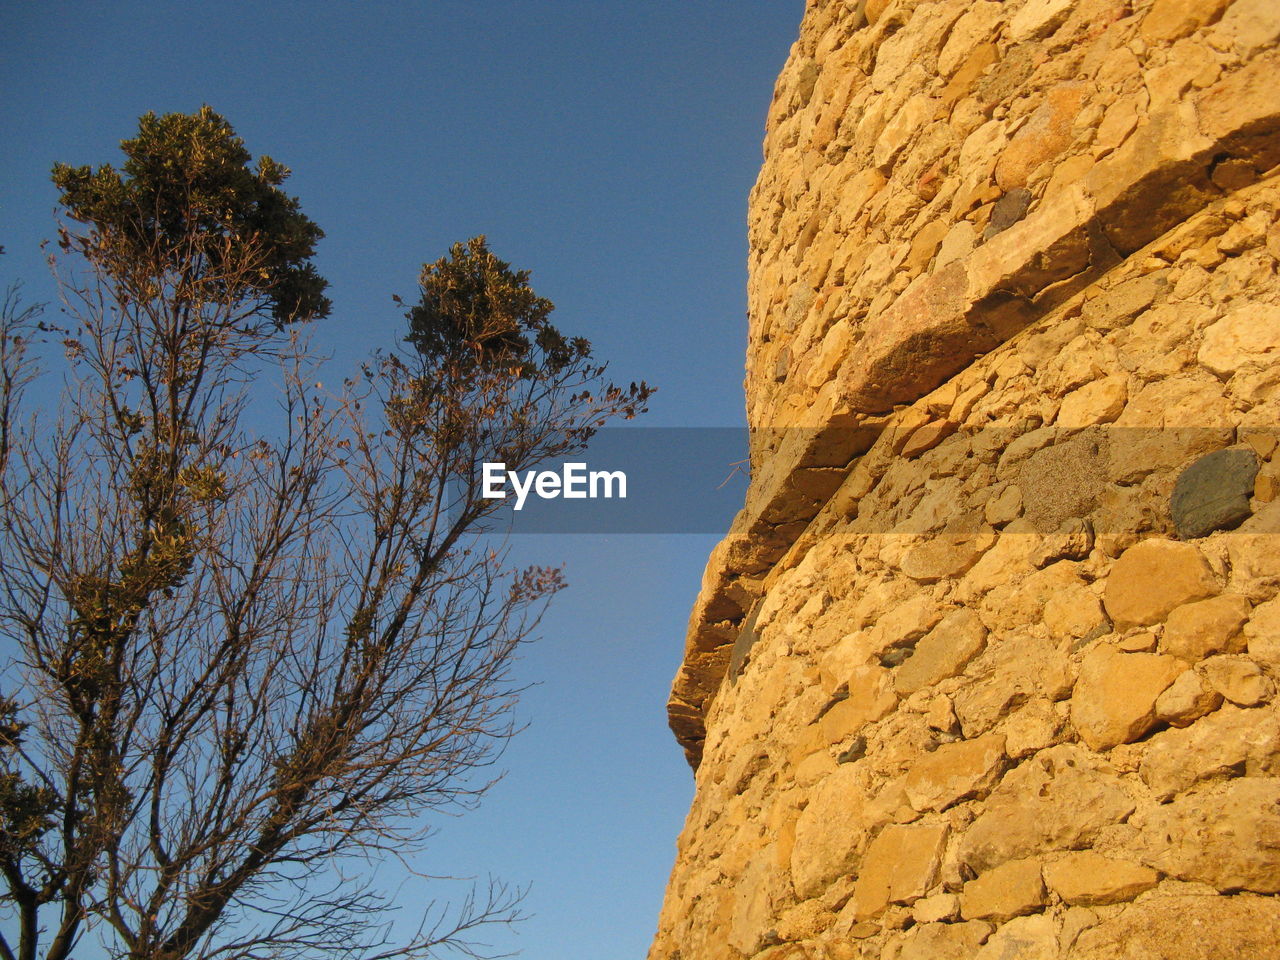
(1116, 696)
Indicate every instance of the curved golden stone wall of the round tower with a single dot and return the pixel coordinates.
(988, 666)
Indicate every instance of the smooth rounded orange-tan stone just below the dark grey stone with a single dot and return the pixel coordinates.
(1155, 577)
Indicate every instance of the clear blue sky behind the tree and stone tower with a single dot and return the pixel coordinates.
(606, 145)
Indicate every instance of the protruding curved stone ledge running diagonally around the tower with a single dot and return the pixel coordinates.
(945, 321)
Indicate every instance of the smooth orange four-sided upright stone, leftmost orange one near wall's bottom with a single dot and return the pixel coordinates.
(900, 867)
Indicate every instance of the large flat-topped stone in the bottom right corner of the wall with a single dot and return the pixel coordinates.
(1187, 929)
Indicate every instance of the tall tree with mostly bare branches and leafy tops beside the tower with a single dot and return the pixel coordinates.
(245, 659)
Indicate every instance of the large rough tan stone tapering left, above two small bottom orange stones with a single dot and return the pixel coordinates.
(1059, 799)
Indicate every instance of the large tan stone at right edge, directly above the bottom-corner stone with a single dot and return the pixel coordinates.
(1227, 836)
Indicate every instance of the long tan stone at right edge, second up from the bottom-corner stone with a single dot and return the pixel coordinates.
(1220, 746)
